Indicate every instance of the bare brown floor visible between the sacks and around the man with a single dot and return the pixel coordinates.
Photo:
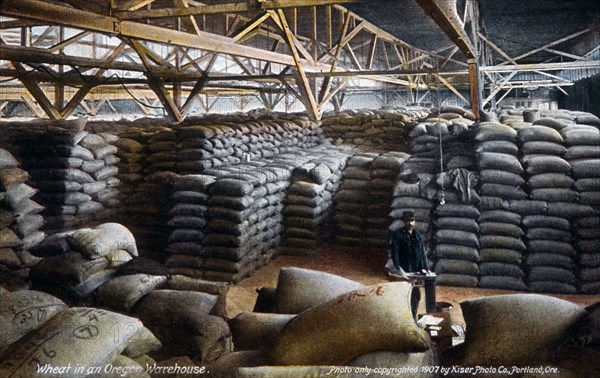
(362, 265)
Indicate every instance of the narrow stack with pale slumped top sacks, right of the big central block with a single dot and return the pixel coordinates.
(308, 223)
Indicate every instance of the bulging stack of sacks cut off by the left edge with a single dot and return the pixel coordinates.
(20, 221)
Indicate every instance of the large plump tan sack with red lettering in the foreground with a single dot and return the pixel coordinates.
(362, 321)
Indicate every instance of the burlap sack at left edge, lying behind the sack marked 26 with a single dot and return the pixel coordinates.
(23, 311)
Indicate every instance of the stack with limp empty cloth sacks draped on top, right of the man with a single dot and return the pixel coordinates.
(456, 232)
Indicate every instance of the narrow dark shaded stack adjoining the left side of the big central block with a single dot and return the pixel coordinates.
(188, 219)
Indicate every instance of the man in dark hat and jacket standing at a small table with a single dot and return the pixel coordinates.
(408, 254)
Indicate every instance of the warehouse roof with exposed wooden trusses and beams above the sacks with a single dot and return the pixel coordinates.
(314, 50)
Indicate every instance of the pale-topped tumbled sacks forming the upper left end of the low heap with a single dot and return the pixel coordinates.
(76, 263)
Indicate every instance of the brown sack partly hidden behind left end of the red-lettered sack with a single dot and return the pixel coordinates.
(255, 330)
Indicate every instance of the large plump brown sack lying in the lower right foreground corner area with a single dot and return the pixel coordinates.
(516, 329)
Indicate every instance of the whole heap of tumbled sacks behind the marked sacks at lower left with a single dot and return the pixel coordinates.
(99, 266)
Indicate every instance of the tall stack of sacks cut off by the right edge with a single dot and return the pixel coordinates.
(583, 153)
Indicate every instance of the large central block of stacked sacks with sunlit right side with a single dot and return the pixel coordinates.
(245, 218)
